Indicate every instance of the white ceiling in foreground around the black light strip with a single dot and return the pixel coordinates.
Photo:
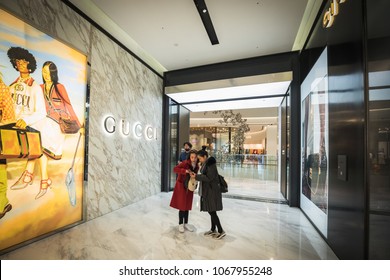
(169, 34)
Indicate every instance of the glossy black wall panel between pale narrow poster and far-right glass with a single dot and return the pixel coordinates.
(344, 40)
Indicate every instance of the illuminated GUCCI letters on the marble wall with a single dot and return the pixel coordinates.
(138, 130)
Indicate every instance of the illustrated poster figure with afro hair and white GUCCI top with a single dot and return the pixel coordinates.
(29, 107)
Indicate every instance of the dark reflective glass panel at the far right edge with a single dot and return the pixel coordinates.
(378, 150)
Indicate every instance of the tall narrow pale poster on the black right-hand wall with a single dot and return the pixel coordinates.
(315, 143)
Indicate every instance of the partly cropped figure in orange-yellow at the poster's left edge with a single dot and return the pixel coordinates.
(7, 115)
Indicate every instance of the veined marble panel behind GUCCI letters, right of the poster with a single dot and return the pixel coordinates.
(122, 169)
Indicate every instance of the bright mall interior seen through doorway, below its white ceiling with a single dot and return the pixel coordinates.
(246, 146)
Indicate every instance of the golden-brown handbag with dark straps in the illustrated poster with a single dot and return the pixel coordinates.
(19, 143)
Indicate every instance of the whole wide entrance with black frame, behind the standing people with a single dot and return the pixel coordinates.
(243, 122)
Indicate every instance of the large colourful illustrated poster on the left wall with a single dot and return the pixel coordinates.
(43, 87)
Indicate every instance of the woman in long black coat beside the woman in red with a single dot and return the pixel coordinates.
(210, 192)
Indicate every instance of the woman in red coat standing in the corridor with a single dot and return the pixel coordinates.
(182, 197)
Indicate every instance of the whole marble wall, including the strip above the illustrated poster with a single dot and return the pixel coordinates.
(121, 169)
